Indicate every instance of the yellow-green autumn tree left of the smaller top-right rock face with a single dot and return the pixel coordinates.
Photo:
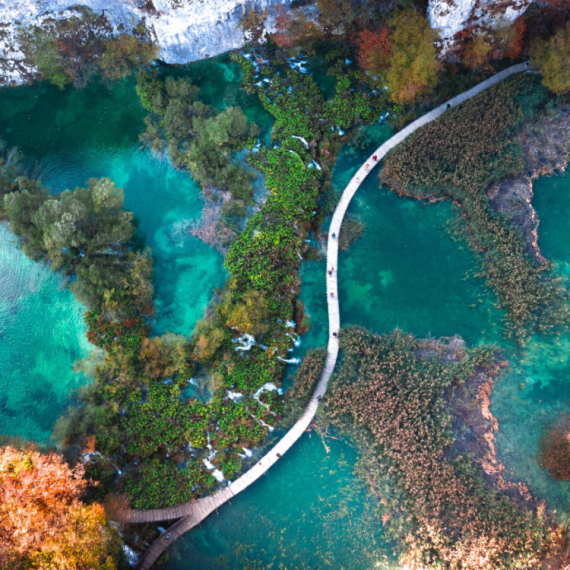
(412, 64)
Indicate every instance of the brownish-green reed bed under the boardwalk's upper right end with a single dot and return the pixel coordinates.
(456, 158)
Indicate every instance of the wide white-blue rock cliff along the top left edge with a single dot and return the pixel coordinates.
(185, 30)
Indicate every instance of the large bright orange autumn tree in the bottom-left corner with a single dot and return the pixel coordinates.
(43, 522)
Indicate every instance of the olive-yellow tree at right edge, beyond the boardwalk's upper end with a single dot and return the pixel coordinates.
(552, 59)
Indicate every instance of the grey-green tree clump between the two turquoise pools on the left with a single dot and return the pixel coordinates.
(85, 231)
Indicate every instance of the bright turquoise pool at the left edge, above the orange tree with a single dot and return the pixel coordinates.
(42, 333)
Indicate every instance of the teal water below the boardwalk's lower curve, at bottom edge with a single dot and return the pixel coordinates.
(307, 512)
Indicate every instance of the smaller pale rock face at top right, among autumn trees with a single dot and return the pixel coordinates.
(452, 16)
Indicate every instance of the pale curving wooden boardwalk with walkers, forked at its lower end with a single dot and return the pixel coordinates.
(194, 512)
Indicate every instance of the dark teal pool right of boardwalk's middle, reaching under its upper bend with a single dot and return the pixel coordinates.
(405, 271)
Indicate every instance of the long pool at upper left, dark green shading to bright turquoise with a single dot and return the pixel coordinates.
(70, 136)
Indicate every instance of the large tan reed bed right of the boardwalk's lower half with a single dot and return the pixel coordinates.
(393, 394)
